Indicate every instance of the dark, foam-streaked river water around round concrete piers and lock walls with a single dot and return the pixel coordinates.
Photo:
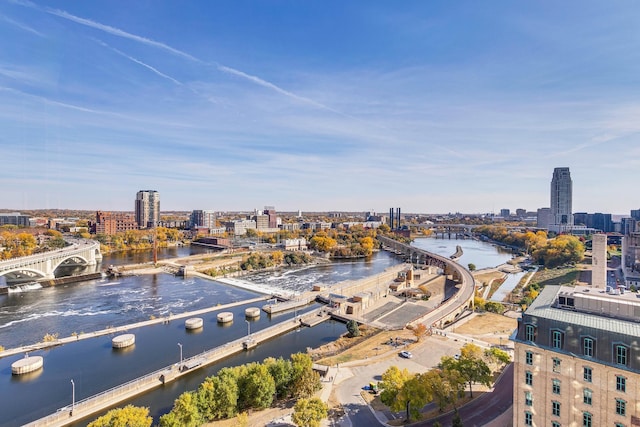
(26, 316)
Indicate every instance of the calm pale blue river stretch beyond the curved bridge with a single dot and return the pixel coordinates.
(482, 254)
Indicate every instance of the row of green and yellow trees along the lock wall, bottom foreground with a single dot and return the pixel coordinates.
(233, 391)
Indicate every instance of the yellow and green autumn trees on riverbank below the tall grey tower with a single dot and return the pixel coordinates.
(548, 252)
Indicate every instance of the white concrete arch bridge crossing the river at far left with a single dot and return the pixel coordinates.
(42, 266)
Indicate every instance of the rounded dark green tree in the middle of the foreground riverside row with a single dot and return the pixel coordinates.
(256, 387)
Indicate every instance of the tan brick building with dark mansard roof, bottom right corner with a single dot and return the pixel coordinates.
(576, 359)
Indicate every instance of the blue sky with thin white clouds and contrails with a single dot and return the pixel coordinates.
(431, 106)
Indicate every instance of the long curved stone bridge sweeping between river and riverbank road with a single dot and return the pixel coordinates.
(461, 301)
